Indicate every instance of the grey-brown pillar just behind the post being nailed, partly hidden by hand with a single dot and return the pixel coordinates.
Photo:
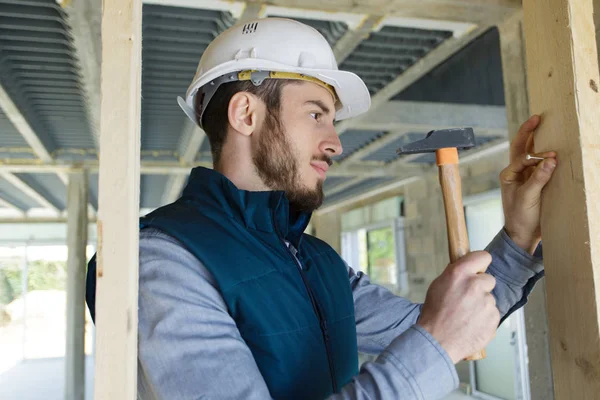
(517, 112)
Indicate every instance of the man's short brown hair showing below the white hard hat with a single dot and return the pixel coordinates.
(215, 121)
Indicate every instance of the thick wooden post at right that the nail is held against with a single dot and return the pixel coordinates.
(563, 76)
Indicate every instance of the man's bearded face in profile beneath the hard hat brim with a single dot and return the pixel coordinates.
(294, 152)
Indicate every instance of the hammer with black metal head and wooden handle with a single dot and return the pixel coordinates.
(445, 143)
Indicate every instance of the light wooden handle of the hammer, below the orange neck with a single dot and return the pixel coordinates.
(458, 240)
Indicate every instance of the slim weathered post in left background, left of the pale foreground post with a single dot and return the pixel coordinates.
(77, 226)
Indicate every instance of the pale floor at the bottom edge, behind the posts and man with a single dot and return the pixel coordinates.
(43, 379)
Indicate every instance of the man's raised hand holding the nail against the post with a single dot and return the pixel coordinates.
(521, 184)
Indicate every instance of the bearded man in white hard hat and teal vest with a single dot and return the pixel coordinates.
(236, 302)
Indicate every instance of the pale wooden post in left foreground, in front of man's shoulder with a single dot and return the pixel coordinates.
(118, 211)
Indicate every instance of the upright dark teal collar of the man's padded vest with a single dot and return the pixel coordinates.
(267, 211)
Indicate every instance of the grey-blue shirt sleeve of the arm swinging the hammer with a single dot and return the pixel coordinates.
(190, 347)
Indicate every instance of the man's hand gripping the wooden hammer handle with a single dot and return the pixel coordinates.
(460, 311)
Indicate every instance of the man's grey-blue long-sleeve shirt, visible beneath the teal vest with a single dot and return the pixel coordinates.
(190, 347)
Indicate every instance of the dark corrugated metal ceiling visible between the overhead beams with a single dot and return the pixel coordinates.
(39, 70)
